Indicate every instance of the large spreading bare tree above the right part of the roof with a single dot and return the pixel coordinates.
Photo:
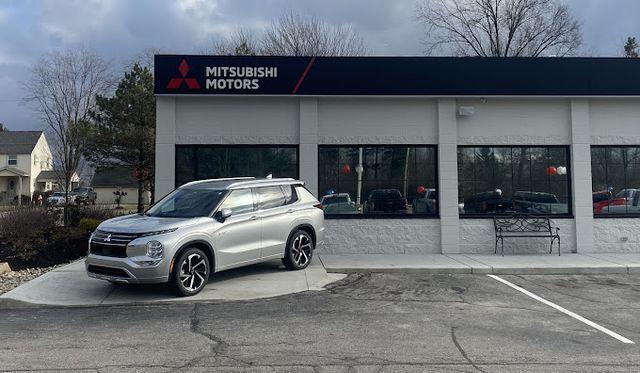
(500, 28)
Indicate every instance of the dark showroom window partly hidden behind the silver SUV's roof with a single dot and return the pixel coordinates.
(197, 162)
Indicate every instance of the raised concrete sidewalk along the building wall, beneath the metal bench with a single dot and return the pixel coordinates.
(547, 264)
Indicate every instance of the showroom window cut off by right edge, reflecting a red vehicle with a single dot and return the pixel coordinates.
(615, 173)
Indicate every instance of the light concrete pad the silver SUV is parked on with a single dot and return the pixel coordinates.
(70, 286)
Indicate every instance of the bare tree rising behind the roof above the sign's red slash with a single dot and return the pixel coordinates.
(293, 35)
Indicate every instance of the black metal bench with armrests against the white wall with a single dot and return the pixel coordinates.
(522, 226)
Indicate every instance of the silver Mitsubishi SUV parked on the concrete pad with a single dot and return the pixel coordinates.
(209, 226)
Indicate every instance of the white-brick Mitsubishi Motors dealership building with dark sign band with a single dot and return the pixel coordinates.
(415, 155)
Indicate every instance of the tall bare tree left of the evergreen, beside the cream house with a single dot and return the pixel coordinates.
(63, 86)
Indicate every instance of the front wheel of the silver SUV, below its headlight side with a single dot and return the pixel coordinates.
(191, 272)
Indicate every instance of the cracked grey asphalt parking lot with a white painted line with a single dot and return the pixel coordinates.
(364, 323)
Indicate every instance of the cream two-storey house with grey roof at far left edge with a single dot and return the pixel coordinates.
(24, 156)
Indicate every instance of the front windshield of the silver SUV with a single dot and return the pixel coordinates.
(187, 203)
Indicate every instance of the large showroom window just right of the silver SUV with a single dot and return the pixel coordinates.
(378, 180)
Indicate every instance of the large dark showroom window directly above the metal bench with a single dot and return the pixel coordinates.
(514, 179)
